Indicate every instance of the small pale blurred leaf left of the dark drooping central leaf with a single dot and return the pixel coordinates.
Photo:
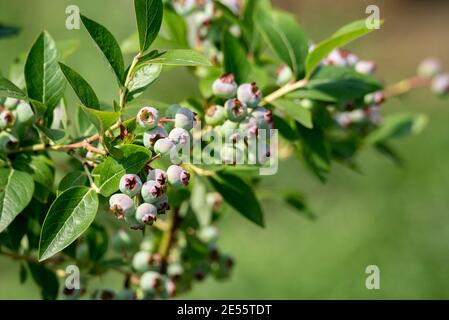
(199, 203)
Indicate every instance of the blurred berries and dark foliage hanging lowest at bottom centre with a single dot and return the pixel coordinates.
(194, 258)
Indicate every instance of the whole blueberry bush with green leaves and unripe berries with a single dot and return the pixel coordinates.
(136, 199)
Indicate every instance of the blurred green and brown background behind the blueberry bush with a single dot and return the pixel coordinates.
(396, 218)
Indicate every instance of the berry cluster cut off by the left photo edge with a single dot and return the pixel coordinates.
(15, 118)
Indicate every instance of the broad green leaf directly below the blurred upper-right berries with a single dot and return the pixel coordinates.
(342, 83)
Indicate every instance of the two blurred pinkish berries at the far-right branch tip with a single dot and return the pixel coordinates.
(431, 68)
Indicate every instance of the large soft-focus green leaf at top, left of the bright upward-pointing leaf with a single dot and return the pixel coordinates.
(286, 38)
